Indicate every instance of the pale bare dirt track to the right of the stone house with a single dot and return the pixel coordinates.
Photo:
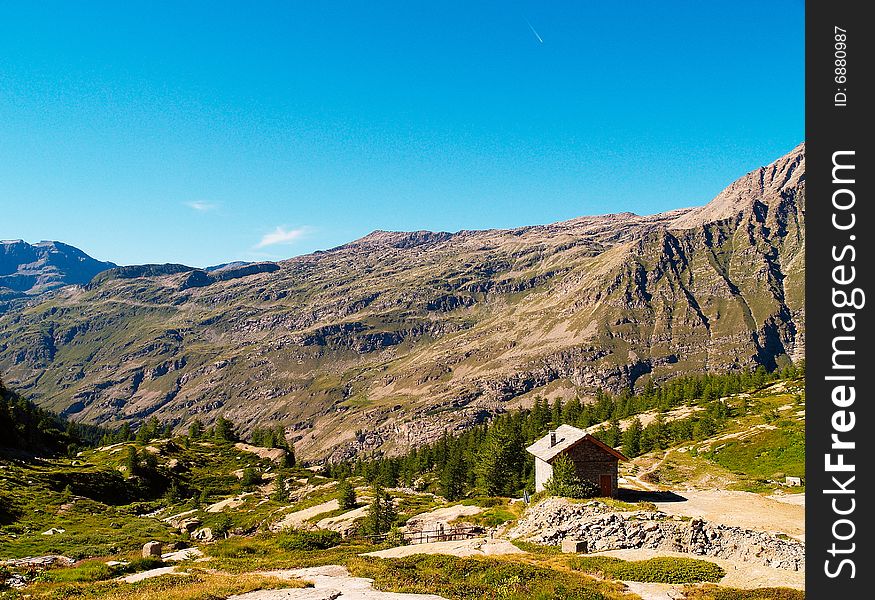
(739, 509)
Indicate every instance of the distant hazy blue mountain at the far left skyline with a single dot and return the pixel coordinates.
(36, 268)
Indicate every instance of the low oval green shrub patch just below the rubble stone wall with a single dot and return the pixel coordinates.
(654, 570)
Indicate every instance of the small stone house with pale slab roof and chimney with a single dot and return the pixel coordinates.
(595, 461)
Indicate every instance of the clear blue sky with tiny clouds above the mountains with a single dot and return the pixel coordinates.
(205, 132)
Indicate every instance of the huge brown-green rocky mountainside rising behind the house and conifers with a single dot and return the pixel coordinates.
(390, 339)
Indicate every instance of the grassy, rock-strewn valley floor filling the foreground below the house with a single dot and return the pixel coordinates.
(226, 530)
